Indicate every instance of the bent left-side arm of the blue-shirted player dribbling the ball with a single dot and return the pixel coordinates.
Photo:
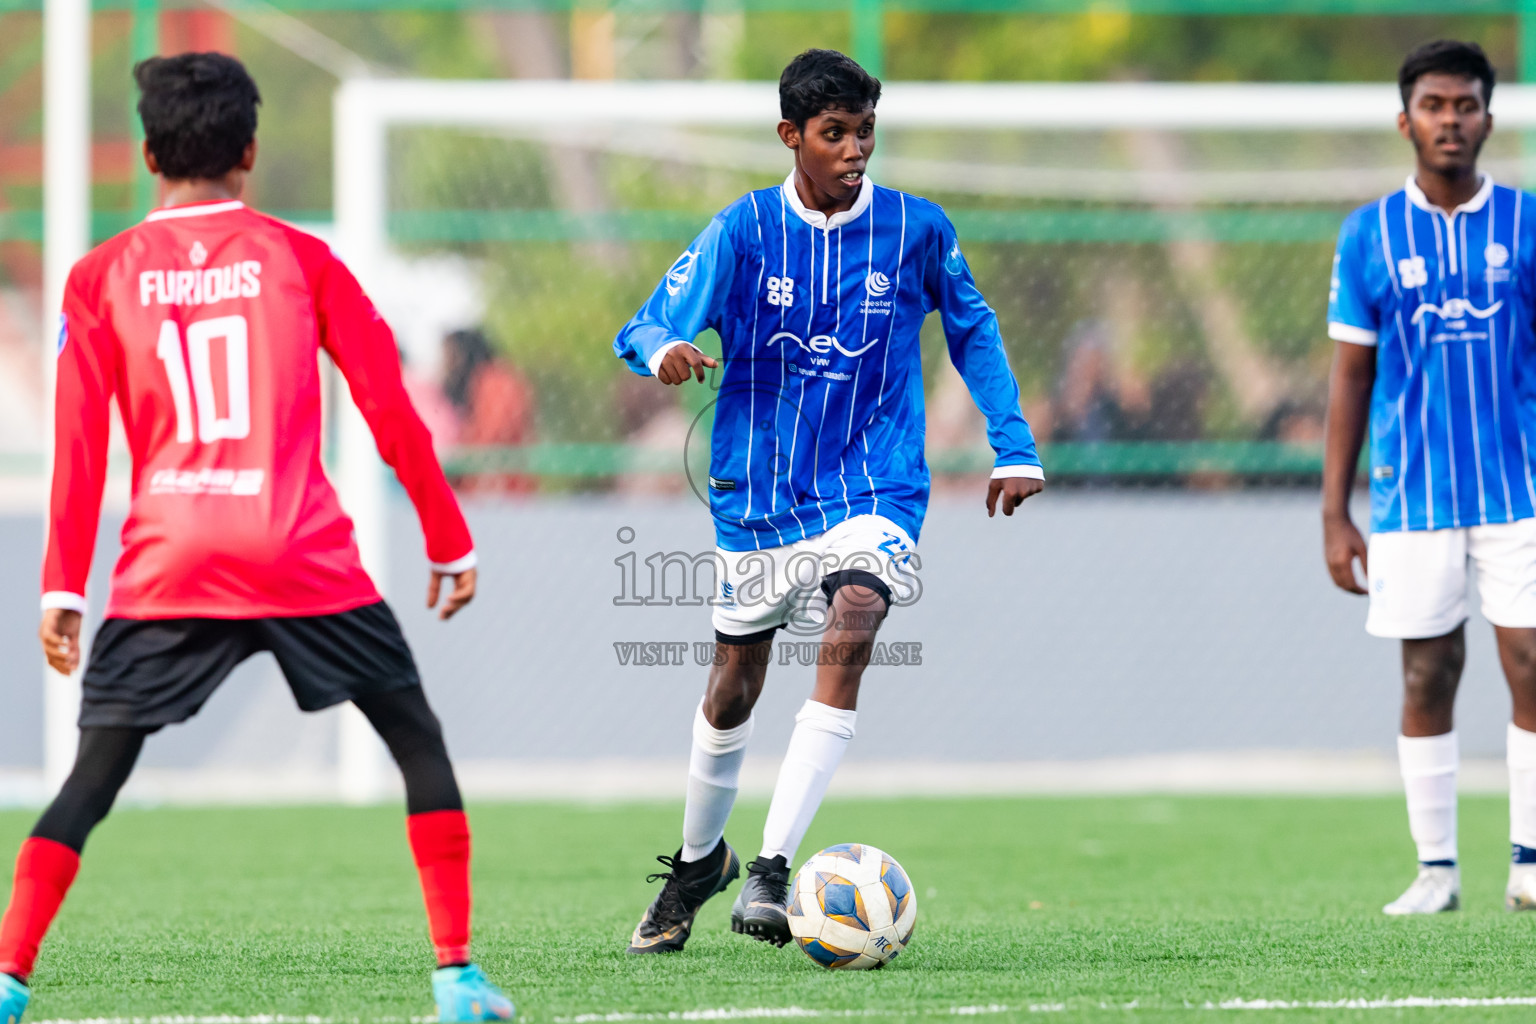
(658, 342)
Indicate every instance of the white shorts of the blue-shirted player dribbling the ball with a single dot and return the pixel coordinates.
(783, 587)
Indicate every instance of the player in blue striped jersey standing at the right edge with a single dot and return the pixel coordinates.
(1432, 308)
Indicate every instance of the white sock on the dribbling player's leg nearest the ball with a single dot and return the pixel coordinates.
(821, 736)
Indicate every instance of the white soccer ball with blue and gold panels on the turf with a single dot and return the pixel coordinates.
(852, 908)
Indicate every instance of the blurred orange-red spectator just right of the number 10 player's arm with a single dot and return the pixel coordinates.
(494, 406)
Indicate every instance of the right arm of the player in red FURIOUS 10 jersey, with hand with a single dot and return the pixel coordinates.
(363, 348)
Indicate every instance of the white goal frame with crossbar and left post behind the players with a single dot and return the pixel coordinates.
(366, 110)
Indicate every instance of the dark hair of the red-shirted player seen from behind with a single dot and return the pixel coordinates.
(199, 113)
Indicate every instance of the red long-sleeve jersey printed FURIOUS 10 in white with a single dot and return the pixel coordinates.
(207, 323)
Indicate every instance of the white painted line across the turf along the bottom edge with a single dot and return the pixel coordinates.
(793, 1012)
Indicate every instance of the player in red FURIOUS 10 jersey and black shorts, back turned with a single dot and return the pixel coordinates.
(207, 323)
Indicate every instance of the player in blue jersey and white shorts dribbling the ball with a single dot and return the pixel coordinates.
(818, 484)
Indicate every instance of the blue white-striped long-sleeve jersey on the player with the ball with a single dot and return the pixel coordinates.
(821, 401)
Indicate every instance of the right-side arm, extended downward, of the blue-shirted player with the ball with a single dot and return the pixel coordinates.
(976, 348)
